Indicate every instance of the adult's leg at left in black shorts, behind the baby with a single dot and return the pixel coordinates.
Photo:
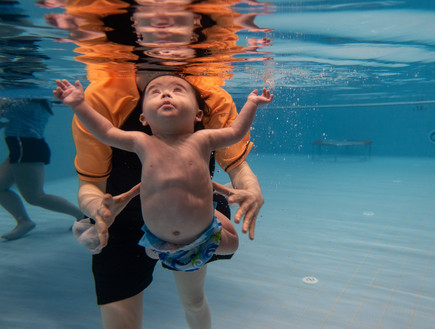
(122, 272)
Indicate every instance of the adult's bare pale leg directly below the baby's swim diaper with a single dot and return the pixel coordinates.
(190, 286)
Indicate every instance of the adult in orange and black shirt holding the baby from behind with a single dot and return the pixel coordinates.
(122, 270)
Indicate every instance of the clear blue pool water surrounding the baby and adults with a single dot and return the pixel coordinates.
(363, 229)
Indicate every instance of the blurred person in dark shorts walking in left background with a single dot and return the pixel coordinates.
(24, 121)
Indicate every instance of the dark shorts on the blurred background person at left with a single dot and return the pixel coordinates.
(28, 149)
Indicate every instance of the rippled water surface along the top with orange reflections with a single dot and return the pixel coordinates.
(309, 52)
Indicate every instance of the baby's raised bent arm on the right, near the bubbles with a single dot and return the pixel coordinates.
(240, 127)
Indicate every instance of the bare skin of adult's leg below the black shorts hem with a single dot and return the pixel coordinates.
(123, 314)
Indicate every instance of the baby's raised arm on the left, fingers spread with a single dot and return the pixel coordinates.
(73, 96)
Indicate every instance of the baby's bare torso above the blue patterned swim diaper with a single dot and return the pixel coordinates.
(176, 189)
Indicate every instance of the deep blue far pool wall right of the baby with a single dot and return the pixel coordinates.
(399, 130)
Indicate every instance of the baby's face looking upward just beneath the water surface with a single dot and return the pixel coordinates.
(169, 97)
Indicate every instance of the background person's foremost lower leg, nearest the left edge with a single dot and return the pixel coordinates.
(13, 204)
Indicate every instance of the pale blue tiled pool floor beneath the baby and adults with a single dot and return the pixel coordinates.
(346, 244)
